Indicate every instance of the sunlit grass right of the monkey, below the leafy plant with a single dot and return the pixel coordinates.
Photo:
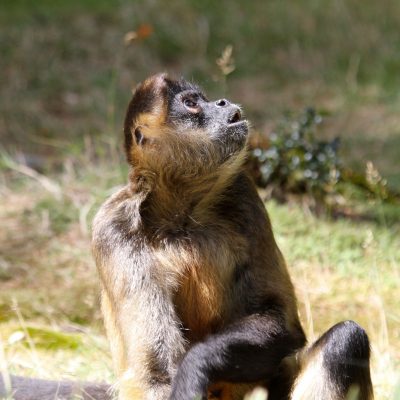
(346, 270)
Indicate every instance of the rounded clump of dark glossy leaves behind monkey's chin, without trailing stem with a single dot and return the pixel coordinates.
(295, 161)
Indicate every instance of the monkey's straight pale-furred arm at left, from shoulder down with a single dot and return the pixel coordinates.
(144, 332)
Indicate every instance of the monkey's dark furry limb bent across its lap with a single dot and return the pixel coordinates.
(247, 351)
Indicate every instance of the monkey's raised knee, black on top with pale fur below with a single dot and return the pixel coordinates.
(336, 366)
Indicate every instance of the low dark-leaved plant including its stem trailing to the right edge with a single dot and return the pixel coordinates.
(295, 161)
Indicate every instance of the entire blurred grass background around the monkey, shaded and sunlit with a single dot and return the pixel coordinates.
(67, 69)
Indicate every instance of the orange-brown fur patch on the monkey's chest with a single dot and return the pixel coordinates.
(206, 263)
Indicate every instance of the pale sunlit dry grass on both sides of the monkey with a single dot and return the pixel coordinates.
(342, 270)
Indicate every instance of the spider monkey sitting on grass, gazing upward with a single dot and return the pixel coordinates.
(196, 295)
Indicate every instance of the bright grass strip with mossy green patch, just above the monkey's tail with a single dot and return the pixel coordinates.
(56, 352)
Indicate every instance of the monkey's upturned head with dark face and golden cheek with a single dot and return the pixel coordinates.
(171, 127)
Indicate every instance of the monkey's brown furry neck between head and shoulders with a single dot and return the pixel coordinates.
(172, 199)
